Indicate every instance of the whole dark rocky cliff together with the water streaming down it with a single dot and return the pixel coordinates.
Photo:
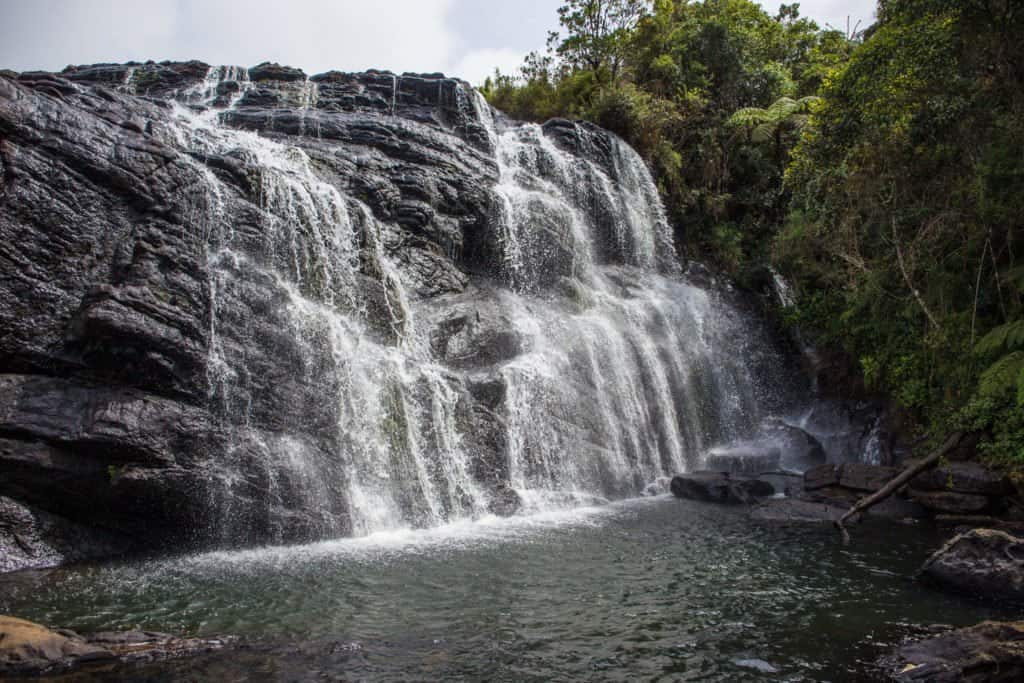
(246, 306)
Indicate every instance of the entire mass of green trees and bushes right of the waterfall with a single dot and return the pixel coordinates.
(881, 172)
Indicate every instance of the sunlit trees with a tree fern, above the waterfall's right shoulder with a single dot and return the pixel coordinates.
(675, 79)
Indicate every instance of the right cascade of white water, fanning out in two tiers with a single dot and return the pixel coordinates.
(632, 375)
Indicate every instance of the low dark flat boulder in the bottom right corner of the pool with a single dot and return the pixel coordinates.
(989, 653)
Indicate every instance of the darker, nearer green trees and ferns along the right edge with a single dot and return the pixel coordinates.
(908, 216)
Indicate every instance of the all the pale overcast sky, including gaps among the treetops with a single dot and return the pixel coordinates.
(465, 38)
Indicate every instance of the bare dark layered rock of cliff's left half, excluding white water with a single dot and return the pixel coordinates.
(109, 416)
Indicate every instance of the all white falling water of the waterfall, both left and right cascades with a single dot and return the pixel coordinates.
(626, 373)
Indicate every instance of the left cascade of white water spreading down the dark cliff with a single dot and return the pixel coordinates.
(395, 457)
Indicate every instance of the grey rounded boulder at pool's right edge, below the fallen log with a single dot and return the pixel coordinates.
(985, 563)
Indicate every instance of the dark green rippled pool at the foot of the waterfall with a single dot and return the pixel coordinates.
(654, 589)
